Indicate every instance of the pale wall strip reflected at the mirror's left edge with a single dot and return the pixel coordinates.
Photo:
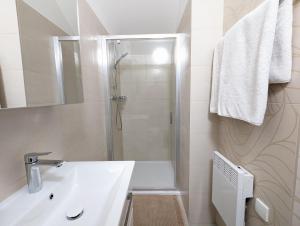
(11, 69)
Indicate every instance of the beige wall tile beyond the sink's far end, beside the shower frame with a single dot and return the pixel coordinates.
(84, 123)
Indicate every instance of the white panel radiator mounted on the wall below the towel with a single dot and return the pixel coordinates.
(232, 185)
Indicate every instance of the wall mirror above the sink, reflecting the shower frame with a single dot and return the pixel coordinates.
(50, 56)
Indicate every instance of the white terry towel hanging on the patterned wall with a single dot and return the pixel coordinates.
(256, 51)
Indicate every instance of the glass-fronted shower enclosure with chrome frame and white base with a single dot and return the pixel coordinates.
(143, 76)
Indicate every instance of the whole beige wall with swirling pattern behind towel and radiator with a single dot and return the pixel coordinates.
(270, 151)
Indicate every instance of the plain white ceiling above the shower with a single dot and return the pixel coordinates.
(139, 16)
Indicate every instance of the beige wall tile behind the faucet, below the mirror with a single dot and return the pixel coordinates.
(23, 134)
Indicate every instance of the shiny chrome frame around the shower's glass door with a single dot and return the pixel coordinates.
(103, 53)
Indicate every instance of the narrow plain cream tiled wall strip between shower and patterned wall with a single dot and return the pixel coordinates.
(207, 29)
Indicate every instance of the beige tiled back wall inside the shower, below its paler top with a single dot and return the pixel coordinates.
(146, 113)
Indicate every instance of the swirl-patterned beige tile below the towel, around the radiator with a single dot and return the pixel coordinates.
(270, 153)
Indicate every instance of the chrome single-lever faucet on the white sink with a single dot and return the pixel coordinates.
(33, 175)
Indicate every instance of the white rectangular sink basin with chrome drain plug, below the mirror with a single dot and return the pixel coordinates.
(98, 188)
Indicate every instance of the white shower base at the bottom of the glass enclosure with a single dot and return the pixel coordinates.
(148, 175)
